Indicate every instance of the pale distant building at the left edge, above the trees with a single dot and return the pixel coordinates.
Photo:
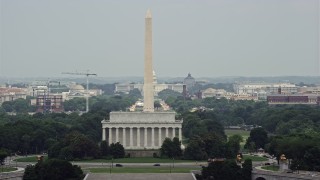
(12, 93)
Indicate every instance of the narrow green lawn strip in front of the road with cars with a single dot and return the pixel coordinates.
(141, 170)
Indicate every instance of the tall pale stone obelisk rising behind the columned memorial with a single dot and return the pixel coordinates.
(148, 75)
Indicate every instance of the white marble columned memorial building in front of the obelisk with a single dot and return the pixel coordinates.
(141, 130)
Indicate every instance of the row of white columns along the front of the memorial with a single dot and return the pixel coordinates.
(140, 137)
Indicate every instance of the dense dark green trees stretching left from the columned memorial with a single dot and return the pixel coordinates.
(25, 134)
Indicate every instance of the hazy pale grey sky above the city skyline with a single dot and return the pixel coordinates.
(208, 38)
